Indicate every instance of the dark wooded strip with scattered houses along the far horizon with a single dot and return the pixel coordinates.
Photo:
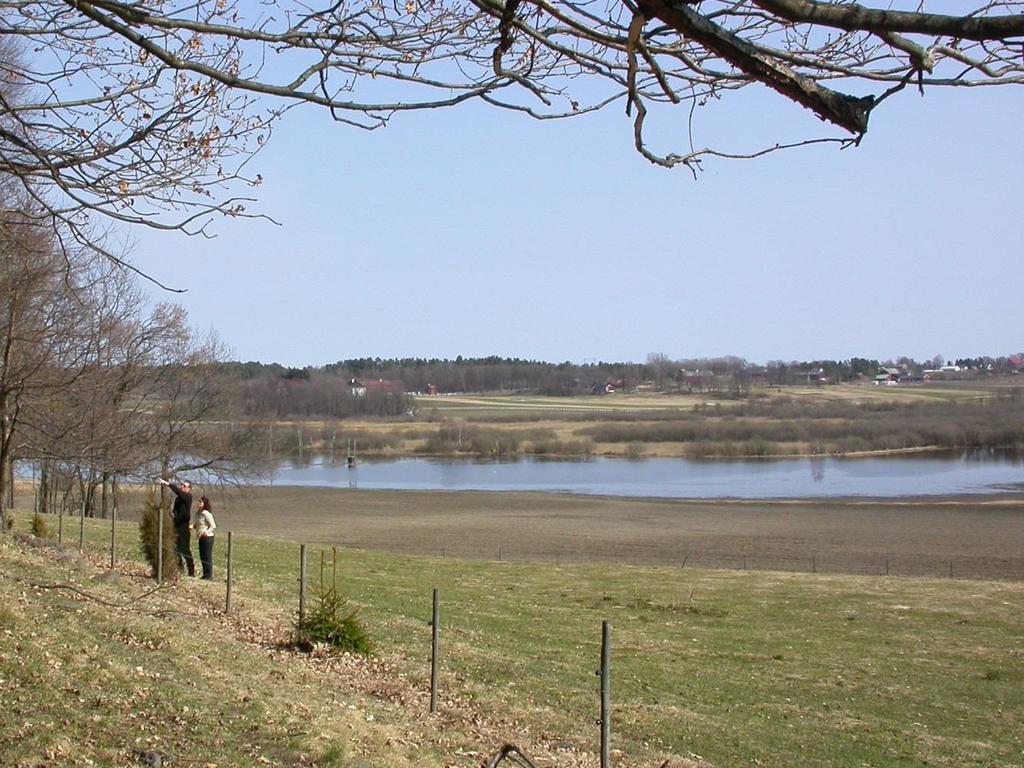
(374, 387)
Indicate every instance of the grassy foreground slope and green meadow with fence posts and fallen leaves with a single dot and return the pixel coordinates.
(738, 668)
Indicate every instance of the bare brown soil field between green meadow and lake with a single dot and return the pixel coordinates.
(962, 538)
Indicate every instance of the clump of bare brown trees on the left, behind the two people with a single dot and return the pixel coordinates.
(94, 386)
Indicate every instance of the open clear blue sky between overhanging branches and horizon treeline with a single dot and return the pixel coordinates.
(474, 232)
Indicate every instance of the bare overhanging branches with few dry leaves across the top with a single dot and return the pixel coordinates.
(148, 112)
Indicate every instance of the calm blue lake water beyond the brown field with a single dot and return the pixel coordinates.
(679, 479)
